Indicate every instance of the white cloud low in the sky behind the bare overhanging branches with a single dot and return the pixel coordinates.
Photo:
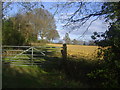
(97, 26)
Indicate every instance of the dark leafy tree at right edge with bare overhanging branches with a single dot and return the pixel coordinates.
(110, 11)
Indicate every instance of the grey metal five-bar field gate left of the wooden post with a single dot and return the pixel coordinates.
(26, 55)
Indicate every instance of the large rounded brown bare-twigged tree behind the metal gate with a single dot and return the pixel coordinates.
(34, 23)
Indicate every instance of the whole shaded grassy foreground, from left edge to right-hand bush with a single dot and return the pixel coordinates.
(51, 73)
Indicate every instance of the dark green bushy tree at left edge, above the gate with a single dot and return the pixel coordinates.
(9, 34)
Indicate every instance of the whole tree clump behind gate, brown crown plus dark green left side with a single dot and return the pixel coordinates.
(30, 25)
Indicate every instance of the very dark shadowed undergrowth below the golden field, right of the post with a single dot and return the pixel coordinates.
(78, 70)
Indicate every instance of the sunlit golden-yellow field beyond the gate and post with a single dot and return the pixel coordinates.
(80, 51)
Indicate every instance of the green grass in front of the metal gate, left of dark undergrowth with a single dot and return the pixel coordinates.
(34, 77)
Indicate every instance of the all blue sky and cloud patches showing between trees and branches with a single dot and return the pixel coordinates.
(98, 25)
